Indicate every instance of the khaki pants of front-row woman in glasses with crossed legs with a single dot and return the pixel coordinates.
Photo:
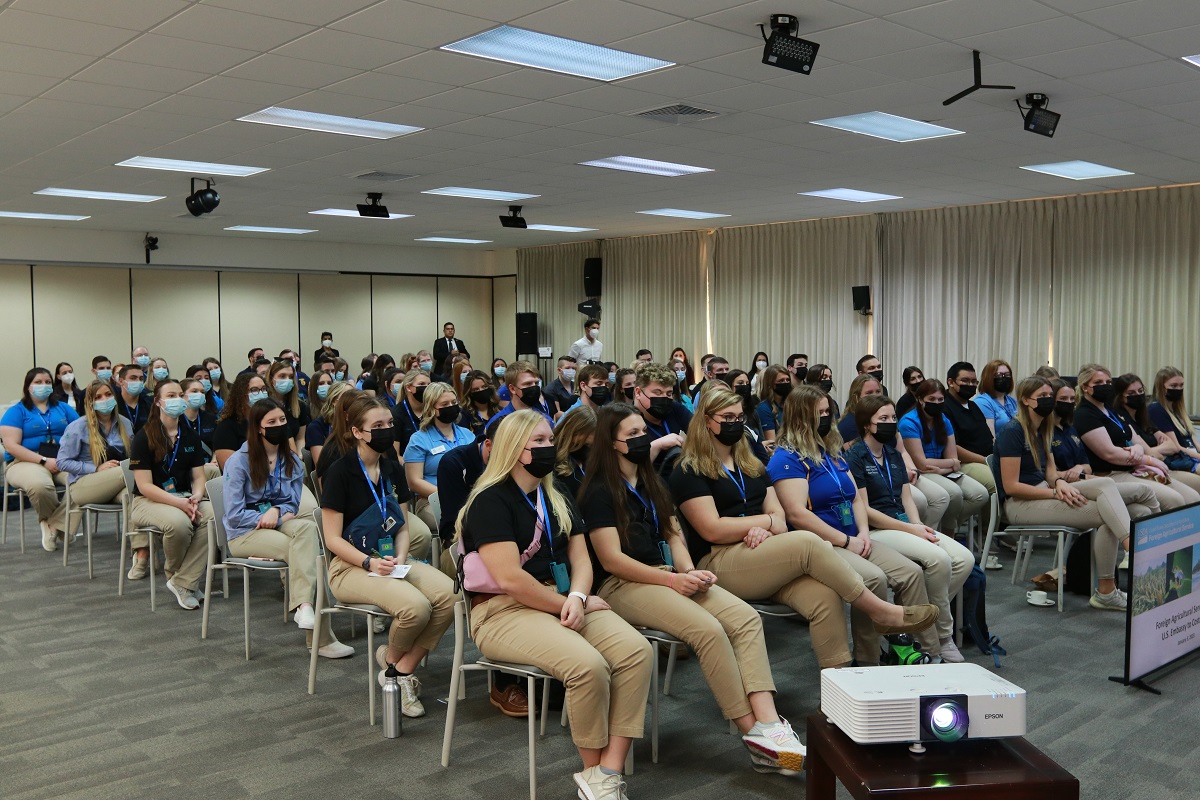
(800, 570)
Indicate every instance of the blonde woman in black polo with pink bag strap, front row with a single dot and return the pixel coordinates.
(536, 605)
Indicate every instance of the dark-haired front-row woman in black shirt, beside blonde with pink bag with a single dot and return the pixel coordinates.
(646, 575)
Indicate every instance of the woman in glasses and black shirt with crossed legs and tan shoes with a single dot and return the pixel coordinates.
(736, 528)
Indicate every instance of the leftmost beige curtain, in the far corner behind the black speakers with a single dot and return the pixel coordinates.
(550, 282)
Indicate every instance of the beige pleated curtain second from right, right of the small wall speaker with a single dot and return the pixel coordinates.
(969, 284)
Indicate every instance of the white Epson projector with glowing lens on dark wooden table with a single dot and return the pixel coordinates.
(944, 702)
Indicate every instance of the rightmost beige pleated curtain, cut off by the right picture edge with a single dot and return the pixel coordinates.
(1127, 282)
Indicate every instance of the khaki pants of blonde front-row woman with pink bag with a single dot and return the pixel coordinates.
(605, 666)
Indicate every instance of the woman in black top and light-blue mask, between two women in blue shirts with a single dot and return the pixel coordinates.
(167, 459)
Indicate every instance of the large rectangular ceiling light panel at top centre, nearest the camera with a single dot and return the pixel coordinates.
(554, 53)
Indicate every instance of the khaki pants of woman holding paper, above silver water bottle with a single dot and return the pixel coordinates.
(422, 605)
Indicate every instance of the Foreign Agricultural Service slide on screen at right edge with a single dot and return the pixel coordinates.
(1166, 613)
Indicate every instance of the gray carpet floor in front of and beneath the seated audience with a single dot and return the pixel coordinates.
(103, 699)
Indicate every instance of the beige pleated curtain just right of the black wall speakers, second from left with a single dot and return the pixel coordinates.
(655, 296)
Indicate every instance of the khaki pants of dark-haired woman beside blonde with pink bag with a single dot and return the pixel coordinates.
(724, 631)
